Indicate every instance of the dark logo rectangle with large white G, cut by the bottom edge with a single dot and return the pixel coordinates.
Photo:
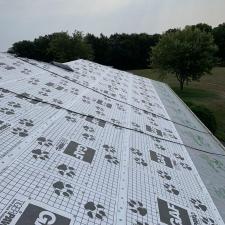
(41, 216)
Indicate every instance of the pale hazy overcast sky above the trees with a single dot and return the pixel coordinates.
(28, 19)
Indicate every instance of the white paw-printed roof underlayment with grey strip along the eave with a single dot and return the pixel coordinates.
(100, 146)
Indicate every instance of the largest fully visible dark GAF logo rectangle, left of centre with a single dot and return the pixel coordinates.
(80, 152)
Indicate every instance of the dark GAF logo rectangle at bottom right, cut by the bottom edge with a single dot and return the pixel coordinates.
(171, 214)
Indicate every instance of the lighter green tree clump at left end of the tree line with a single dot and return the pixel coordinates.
(54, 47)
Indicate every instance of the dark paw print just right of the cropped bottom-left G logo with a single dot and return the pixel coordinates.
(95, 210)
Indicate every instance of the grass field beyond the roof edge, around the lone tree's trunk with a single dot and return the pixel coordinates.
(210, 92)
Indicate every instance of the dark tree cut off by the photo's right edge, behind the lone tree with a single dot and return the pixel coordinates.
(219, 37)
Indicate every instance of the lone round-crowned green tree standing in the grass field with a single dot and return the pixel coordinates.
(187, 53)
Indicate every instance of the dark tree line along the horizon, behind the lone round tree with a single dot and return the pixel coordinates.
(122, 51)
